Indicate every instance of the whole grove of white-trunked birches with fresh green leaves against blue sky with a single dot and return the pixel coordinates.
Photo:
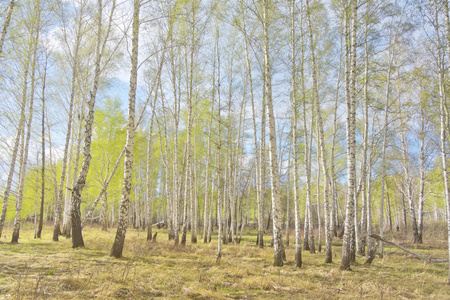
(308, 118)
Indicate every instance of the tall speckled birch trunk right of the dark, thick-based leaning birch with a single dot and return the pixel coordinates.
(119, 240)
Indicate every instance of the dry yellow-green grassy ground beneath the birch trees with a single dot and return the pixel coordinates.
(40, 268)
